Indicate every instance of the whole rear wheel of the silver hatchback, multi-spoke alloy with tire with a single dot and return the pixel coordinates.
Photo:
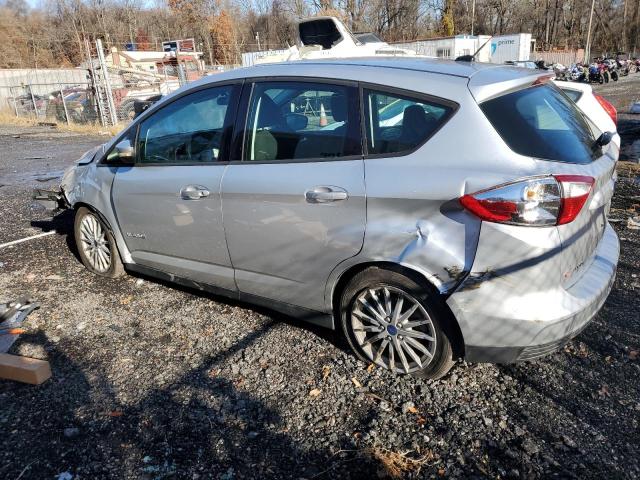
(389, 320)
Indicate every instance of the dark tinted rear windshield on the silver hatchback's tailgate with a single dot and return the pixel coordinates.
(543, 123)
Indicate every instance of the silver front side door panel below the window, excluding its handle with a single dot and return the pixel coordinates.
(164, 231)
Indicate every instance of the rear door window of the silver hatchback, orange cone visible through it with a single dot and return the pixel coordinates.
(297, 120)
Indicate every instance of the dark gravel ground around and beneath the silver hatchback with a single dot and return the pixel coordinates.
(154, 381)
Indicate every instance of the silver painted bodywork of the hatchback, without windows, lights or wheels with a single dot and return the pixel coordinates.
(508, 287)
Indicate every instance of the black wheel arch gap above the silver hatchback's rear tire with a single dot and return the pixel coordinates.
(451, 324)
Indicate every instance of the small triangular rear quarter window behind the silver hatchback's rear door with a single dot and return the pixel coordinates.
(398, 124)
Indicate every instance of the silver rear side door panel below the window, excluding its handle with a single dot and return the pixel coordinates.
(281, 246)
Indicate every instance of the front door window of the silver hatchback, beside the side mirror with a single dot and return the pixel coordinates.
(190, 130)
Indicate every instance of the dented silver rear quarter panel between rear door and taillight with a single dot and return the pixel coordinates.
(414, 217)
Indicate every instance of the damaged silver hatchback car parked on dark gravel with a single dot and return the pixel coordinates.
(429, 210)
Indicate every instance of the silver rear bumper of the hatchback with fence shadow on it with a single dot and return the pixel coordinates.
(503, 329)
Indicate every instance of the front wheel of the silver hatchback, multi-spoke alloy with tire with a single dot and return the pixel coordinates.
(96, 245)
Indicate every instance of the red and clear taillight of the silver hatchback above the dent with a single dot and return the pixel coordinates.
(542, 201)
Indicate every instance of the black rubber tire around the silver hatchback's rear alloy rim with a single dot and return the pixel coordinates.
(373, 277)
